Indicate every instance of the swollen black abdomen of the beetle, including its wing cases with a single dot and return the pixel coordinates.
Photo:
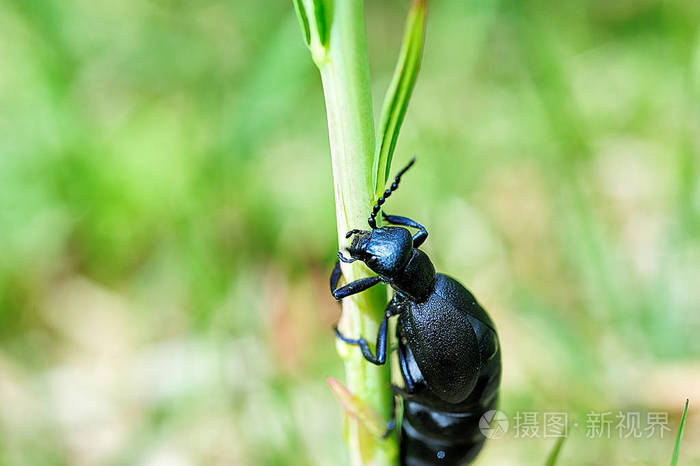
(436, 429)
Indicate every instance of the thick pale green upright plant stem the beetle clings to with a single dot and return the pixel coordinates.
(344, 71)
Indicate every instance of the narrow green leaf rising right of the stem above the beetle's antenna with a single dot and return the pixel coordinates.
(399, 93)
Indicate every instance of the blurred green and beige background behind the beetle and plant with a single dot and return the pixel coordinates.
(167, 221)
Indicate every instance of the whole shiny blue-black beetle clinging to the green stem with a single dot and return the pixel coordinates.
(447, 344)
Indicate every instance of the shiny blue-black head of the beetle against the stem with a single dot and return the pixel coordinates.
(385, 250)
